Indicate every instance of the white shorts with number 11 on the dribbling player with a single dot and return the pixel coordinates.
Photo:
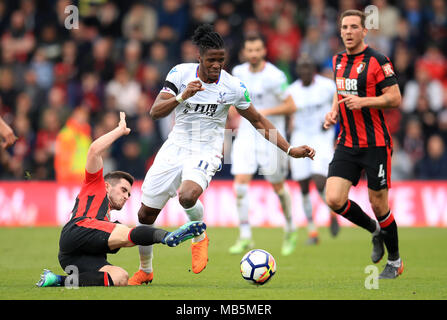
(172, 166)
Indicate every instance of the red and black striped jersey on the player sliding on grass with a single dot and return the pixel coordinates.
(92, 200)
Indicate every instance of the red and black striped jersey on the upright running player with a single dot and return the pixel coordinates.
(364, 74)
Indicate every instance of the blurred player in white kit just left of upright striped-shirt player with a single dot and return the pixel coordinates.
(312, 96)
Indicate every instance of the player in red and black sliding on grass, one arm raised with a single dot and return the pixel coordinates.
(89, 235)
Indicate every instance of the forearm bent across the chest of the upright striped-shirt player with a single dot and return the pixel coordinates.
(390, 98)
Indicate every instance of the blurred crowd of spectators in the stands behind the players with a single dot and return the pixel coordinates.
(61, 88)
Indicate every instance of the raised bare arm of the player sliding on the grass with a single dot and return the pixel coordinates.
(94, 155)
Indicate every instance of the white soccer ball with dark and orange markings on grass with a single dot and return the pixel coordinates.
(258, 266)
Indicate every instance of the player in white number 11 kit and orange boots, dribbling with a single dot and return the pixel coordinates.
(200, 95)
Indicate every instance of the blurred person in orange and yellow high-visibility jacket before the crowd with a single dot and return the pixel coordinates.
(72, 144)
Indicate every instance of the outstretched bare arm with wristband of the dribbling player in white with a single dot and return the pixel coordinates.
(262, 123)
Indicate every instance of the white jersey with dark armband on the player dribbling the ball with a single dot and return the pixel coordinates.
(200, 120)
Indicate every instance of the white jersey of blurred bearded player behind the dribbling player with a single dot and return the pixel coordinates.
(267, 88)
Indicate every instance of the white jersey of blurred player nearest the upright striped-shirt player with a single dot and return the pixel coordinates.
(312, 102)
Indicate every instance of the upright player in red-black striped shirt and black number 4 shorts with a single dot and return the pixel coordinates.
(366, 84)
